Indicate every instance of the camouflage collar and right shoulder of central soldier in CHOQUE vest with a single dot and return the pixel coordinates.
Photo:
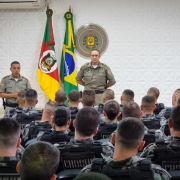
(108, 148)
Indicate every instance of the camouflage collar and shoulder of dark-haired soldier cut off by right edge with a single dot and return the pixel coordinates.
(148, 151)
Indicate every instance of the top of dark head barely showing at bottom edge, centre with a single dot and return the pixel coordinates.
(91, 176)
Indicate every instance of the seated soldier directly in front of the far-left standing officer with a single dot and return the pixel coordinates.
(20, 102)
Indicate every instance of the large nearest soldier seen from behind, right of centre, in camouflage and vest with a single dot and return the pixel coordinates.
(125, 163)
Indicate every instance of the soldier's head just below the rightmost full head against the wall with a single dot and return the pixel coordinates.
(148, 103)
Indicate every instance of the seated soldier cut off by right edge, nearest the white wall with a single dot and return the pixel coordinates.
(166, 113)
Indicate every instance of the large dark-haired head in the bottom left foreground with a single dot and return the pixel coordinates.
(39, 161)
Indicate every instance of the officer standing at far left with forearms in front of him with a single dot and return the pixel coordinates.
(12, 84)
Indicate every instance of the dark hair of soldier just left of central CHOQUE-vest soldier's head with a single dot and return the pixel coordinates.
(61, 115)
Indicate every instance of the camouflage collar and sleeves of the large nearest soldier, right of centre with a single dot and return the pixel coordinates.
(159, 173)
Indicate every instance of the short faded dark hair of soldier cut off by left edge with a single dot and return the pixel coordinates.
(9, 132)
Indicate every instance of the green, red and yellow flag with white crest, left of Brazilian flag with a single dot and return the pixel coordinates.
(47, 67)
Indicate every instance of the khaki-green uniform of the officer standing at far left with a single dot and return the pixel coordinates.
(10, 85)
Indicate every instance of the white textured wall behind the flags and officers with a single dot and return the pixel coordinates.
(144, 41)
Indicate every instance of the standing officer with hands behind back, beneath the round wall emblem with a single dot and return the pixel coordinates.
(95, 76)
